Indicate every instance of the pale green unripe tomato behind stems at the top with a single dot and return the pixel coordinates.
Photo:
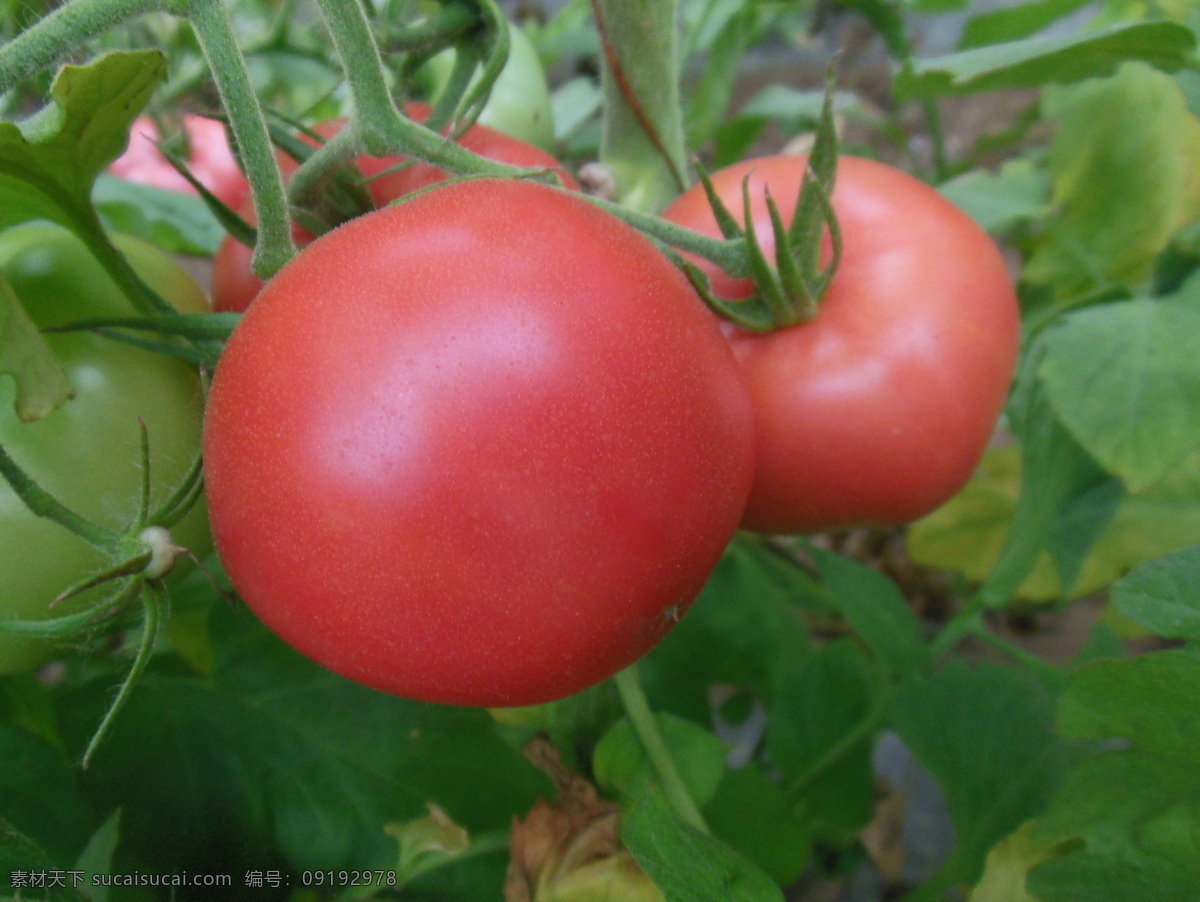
(520, 101)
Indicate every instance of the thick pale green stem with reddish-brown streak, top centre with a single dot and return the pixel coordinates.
(644, 143)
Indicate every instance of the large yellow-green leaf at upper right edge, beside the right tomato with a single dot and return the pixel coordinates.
(1124, 163)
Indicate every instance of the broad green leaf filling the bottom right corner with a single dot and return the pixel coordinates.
(1130, 815)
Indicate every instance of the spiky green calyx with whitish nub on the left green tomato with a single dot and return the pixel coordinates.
(140, 558)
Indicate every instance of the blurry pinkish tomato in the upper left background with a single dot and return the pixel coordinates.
(209, 159)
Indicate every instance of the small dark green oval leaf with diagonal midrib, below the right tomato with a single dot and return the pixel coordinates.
(823, 720)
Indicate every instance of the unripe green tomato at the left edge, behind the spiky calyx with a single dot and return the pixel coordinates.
(87, 452)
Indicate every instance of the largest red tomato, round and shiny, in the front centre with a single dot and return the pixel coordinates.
(447, 464)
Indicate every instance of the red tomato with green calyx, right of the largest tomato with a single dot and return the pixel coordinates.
(879, 410)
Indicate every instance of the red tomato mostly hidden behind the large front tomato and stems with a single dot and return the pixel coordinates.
(236, 285)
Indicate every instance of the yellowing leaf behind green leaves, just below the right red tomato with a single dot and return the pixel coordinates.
(968, 533)
